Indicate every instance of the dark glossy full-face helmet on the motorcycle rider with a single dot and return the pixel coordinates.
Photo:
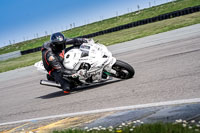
(57, 42)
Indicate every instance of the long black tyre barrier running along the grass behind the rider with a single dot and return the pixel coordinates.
(133, 24)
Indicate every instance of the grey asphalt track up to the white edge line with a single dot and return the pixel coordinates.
(167, 68)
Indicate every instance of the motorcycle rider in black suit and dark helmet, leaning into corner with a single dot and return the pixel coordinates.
(53, 55)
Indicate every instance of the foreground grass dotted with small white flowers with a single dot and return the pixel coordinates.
(142, 128)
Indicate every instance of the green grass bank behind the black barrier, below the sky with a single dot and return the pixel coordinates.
(106, 24)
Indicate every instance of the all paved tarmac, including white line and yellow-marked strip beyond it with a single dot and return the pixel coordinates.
(170, 94)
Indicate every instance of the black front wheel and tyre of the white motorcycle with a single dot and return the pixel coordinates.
(123, 70)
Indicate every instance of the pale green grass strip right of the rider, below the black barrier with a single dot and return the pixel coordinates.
(148, 29)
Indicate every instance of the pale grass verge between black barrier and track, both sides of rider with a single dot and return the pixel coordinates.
(113, 38)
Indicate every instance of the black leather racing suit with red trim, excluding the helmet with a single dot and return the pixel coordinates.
(53, 61)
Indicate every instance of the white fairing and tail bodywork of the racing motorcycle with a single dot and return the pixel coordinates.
(94, 54)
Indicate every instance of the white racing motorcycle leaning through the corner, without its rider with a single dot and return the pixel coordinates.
(94, 64)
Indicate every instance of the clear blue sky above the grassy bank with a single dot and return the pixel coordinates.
(27, 19)
